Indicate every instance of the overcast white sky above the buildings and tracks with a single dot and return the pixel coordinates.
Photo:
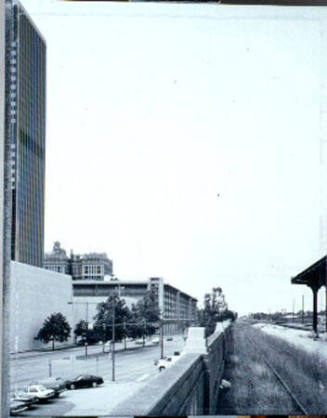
(154, 109)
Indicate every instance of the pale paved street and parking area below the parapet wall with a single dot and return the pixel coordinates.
(134, 367)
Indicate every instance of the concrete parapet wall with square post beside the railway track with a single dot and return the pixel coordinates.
(191, 385)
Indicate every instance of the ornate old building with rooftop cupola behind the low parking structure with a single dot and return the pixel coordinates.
(89, 266)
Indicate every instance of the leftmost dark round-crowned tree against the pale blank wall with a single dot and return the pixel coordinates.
(55, 328)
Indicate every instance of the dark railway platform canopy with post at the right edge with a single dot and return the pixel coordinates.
(315, 276)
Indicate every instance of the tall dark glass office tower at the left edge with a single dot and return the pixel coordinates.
(26, 70)
